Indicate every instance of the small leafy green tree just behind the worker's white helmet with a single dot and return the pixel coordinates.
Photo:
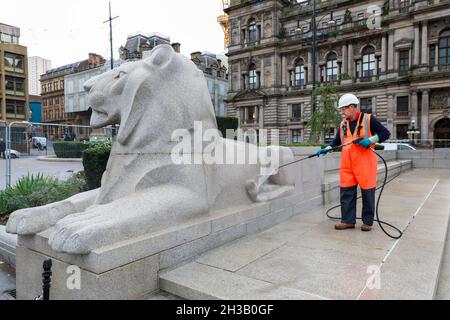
(326, 116)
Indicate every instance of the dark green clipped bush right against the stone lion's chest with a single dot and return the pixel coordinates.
(95, 160)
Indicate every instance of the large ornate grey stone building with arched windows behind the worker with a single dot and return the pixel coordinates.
(394, 55)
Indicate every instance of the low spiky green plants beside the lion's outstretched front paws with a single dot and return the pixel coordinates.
(34, 191)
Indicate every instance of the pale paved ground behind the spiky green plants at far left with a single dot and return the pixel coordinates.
(30, 165)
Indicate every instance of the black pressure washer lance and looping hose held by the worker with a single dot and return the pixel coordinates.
(380, 222)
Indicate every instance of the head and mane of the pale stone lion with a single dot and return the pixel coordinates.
(150, 99)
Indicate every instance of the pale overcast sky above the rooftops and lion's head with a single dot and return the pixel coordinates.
(65, 31)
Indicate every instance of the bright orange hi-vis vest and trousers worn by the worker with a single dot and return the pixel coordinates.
(358, 164)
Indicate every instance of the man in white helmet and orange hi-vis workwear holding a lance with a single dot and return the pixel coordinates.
(358, 162)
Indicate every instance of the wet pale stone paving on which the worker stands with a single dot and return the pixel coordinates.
(305, 258)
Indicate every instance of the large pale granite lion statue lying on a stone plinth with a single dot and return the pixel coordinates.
(142, 190)
